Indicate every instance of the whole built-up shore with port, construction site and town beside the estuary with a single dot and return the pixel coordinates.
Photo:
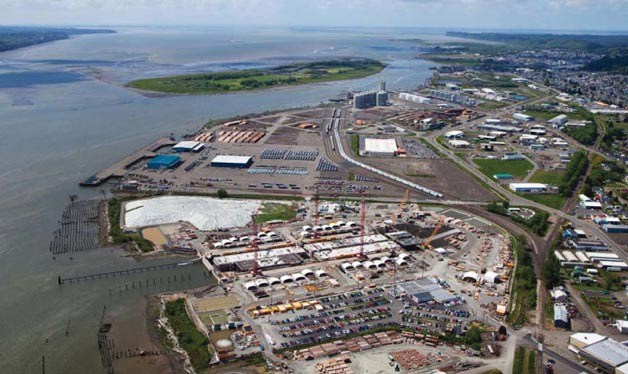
(477, 224)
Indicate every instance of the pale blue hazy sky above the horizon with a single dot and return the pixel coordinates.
(575, 15)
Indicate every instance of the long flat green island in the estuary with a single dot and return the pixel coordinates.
(254, 79)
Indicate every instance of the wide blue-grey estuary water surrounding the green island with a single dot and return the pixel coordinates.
(64, 114)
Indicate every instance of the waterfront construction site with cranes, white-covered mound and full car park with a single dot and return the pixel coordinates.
(396, 273)
